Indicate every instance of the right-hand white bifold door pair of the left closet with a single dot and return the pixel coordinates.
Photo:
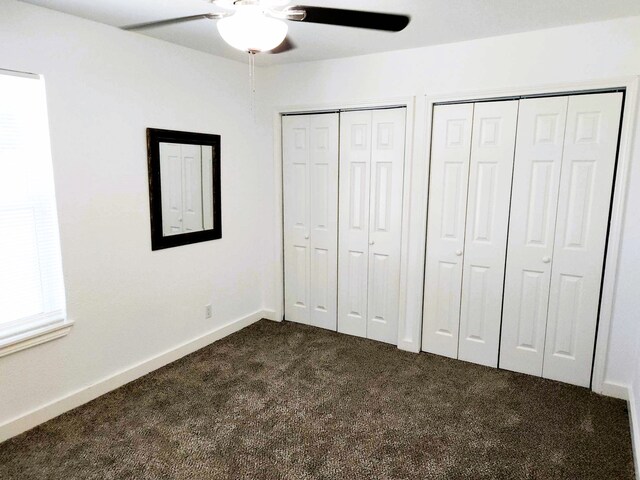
(371, 178)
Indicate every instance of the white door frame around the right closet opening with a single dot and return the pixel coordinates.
(630, 86)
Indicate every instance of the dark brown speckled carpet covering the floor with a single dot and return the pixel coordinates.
(285, 401)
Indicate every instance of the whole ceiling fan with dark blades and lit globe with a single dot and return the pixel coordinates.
(256, 26)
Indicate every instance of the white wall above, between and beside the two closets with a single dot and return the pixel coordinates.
(589, 52)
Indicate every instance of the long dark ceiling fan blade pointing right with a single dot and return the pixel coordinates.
(351, 18)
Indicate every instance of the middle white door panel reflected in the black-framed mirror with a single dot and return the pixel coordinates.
(192, 188)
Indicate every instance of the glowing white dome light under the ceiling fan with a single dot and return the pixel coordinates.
(250, 30)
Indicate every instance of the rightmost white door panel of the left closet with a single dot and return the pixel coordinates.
(385, 224)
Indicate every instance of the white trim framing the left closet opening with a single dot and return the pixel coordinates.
(405, 342)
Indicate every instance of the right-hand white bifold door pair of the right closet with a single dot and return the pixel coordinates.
(563, 180)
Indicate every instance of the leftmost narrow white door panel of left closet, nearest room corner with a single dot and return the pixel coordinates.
(295, 145)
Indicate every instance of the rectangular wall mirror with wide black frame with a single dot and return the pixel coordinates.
(184, 187)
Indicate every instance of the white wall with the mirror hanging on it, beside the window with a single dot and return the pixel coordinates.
(104, 88)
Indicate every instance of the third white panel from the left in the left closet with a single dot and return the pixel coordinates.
(353, 265)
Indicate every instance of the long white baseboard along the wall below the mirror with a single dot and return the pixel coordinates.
(86, 394)
